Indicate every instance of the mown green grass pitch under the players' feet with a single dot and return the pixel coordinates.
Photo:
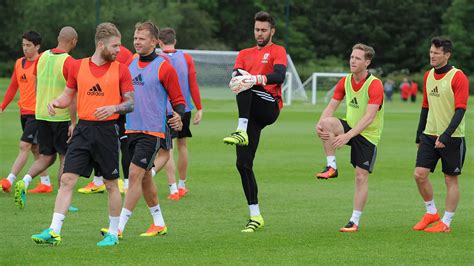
(302, 214)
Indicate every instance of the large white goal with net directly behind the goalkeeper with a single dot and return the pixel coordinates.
(214, 69)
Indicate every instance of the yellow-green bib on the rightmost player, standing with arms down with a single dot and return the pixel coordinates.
(441, 105)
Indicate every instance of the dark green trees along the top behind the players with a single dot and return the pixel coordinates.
(318, 34)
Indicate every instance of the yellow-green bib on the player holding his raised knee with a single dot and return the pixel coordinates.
(356, 103)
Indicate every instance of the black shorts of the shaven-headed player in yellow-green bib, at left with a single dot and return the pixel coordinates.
(52, 137)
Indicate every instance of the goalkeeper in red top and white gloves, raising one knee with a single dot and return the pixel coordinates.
(258, 75)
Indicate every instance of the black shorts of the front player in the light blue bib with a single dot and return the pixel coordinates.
(143, 148)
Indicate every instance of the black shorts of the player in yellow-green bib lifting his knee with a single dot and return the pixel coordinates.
(363, 152)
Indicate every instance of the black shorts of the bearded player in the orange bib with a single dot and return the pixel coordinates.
(94, 144)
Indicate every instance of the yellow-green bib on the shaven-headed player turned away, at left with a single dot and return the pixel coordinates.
(50, 84)
